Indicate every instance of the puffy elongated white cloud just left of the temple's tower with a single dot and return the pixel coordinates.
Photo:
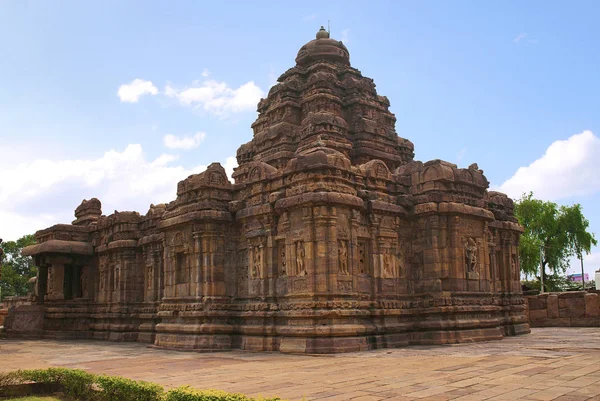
(217, 97)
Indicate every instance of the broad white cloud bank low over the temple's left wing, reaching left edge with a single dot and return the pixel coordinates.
(39, 193)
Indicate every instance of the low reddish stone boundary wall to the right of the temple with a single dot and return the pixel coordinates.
(564, 309)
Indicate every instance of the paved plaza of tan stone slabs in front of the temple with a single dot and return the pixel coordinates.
(550, 364)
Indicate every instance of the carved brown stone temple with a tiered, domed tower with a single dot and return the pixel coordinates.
(331, 238)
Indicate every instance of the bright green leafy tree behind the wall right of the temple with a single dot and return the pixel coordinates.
(559, 231)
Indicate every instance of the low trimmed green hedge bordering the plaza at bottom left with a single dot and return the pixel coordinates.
(84, 386)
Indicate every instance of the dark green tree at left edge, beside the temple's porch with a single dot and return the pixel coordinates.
(16, 268)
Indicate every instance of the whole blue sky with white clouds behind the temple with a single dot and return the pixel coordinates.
(497, 83)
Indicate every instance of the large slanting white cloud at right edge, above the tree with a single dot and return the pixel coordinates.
(568, 168)
